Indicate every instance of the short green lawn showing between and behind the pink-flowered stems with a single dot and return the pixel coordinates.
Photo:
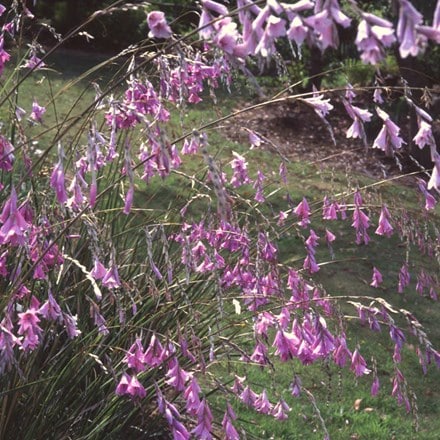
(336, 392)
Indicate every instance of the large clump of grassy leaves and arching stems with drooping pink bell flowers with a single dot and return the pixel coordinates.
(148, 268)
